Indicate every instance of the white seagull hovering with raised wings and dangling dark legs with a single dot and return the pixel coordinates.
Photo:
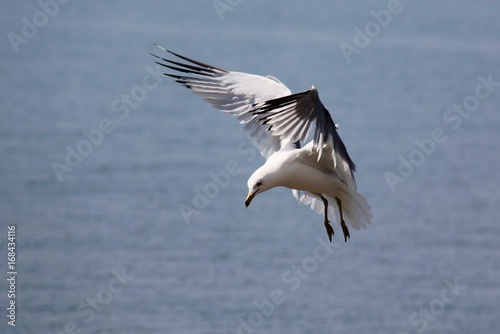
(320, 173)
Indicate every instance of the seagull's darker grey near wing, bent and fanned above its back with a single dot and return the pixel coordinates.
(290, 117)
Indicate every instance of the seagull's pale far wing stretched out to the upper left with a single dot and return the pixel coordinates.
(232, 92)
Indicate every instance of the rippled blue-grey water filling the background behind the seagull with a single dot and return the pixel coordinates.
(105, 249)
